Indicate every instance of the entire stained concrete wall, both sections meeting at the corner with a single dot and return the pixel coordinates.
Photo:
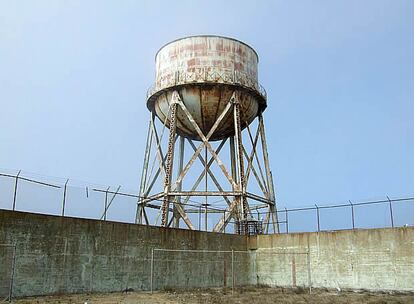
(69, 255)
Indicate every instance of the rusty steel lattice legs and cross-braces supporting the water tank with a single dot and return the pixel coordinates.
(173, 203)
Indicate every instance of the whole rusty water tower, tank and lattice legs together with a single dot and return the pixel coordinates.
(207, 99)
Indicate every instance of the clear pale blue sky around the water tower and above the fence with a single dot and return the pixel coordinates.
(339, 77)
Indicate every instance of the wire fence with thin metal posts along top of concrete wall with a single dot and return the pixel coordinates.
(22, 191)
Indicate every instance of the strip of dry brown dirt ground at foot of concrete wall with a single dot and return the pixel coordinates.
(241, 295)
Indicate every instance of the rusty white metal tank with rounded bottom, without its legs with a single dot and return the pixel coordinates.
(205, 71)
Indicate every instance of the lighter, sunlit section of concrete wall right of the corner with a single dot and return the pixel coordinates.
(375, 259)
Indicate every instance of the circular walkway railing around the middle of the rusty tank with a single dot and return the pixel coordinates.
(207, 75)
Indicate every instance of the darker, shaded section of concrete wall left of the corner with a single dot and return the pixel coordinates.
(69, 255)
